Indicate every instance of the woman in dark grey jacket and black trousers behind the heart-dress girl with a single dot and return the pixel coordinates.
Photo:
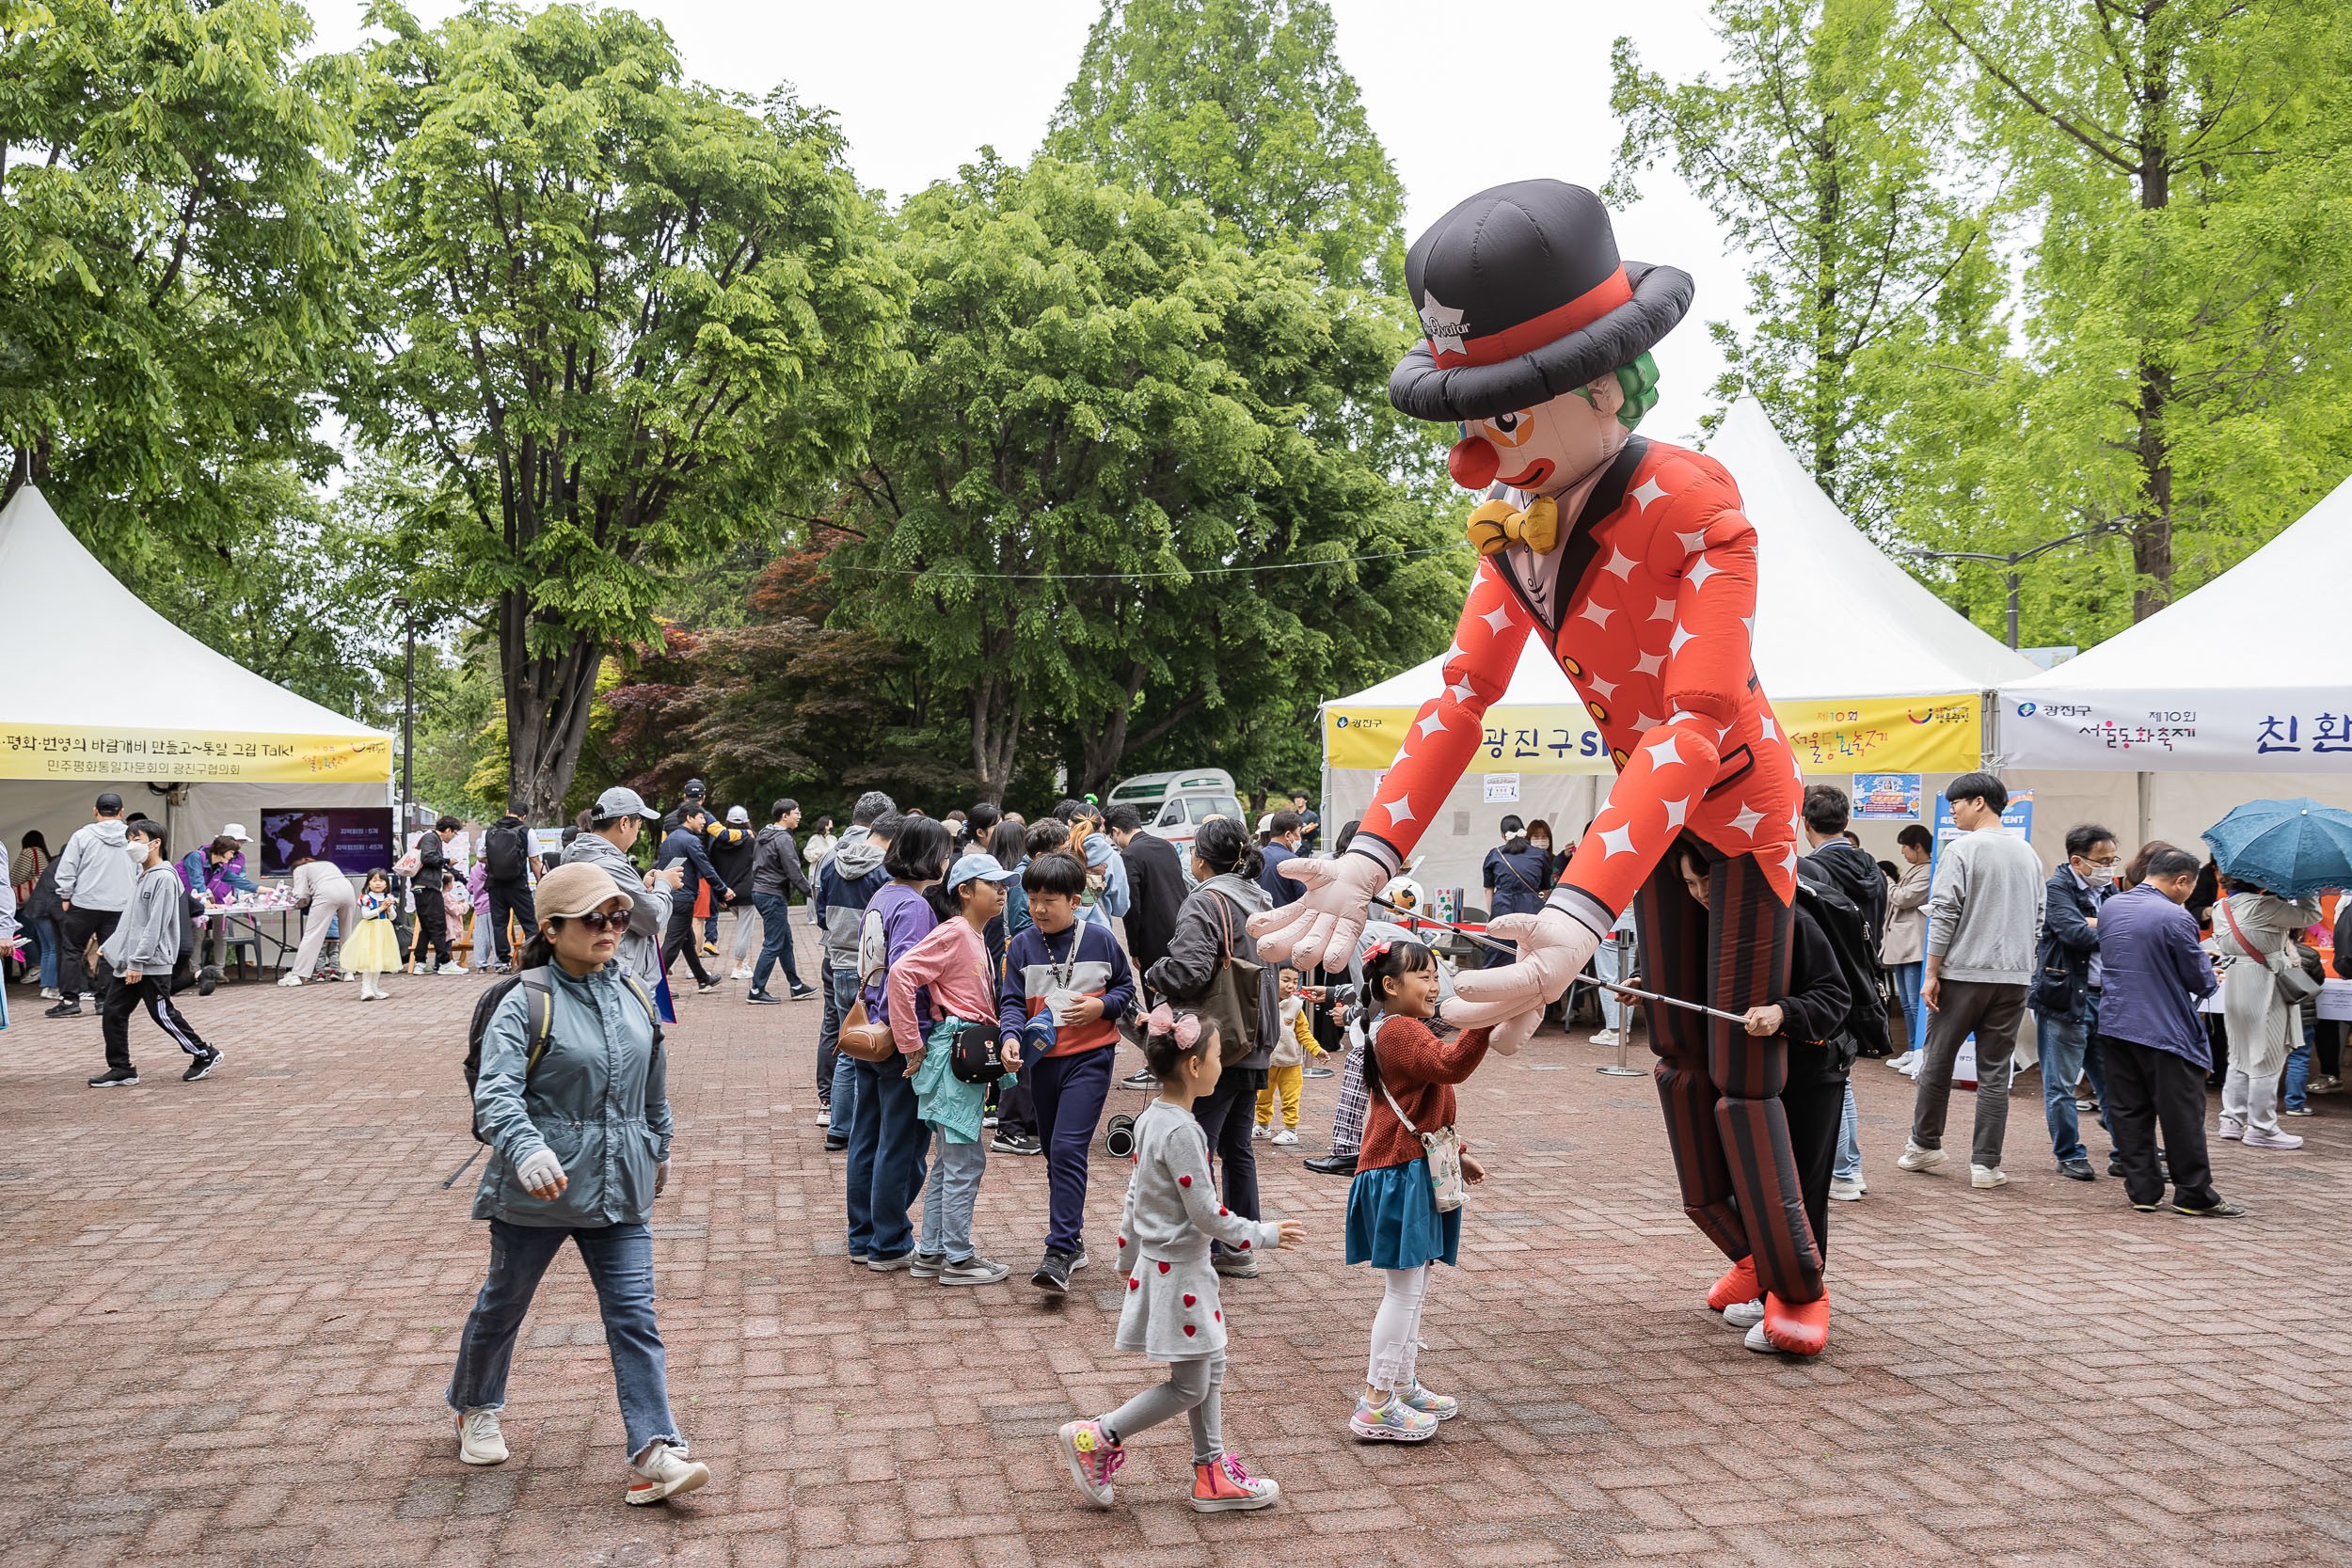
(1210, 925)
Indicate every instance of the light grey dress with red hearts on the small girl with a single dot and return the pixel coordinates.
(1172, 1311)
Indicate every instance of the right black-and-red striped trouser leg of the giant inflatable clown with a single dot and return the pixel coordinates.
(1749, 939)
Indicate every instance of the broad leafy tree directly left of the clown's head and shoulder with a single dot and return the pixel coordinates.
(1125, 471)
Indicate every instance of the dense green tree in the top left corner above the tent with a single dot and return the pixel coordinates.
(175, 243)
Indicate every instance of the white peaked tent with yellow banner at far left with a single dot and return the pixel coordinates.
(107, 695)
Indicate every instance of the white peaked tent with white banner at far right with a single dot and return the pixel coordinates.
(2212, 702)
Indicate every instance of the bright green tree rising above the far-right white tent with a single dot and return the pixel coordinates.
(2184, 380)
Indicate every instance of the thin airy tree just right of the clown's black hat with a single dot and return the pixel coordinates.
(1819, 156)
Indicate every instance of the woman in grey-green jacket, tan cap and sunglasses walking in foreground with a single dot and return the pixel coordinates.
(580, 1130)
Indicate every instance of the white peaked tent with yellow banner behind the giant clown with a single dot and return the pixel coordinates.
(1869, 671)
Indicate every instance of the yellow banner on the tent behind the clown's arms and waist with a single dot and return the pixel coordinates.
(1935, 735)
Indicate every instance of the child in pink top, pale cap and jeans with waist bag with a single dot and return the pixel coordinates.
(951, 970)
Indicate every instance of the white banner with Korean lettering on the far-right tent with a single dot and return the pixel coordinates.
(2153, 732)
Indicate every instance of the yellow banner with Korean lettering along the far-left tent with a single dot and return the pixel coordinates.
(189, 756)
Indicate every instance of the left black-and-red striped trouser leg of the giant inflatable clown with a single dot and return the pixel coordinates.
(1673, 934)
